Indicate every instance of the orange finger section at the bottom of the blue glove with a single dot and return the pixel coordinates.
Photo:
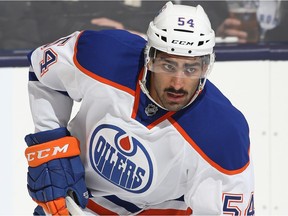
(55, 207)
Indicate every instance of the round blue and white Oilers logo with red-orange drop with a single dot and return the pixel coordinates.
(113, 153)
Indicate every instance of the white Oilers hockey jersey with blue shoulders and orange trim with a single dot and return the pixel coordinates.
(139, 158)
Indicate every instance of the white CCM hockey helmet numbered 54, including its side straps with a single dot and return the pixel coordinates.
(180, 30)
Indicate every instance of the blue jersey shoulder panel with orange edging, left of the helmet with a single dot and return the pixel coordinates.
(115, 55)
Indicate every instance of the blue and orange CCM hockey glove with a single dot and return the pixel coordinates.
(55, 169)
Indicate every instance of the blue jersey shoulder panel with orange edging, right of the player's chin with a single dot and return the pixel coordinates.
(217, 131)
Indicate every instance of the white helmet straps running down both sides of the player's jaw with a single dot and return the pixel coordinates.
(143, 87)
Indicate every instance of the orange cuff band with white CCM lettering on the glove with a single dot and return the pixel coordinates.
(60, 148)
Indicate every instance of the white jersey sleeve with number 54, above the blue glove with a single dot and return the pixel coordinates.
(52, 83)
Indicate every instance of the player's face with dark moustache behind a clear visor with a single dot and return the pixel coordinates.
(174, 79)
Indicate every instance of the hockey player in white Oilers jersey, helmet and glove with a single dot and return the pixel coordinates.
(152, 135)
